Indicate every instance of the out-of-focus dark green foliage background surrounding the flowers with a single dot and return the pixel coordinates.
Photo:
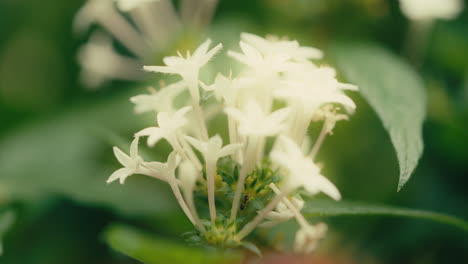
(56, 136)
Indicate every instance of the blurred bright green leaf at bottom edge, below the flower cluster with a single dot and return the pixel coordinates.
(151, 250)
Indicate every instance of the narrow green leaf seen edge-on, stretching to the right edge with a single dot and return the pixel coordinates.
(327, 208)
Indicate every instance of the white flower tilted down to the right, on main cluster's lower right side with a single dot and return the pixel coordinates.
(301, 170)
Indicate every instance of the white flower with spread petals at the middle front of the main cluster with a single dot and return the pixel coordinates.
(253, 121)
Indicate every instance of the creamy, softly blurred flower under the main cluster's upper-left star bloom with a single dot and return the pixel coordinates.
(161, 101)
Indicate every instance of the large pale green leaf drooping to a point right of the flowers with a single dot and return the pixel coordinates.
(396, 93)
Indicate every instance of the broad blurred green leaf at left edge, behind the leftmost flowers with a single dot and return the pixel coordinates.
(67, 156)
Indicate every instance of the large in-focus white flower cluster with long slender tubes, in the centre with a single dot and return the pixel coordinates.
(277, 72)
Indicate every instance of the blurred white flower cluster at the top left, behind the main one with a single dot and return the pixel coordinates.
(145, 28)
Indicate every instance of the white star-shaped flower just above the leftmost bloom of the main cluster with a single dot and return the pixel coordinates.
(168, 128)
